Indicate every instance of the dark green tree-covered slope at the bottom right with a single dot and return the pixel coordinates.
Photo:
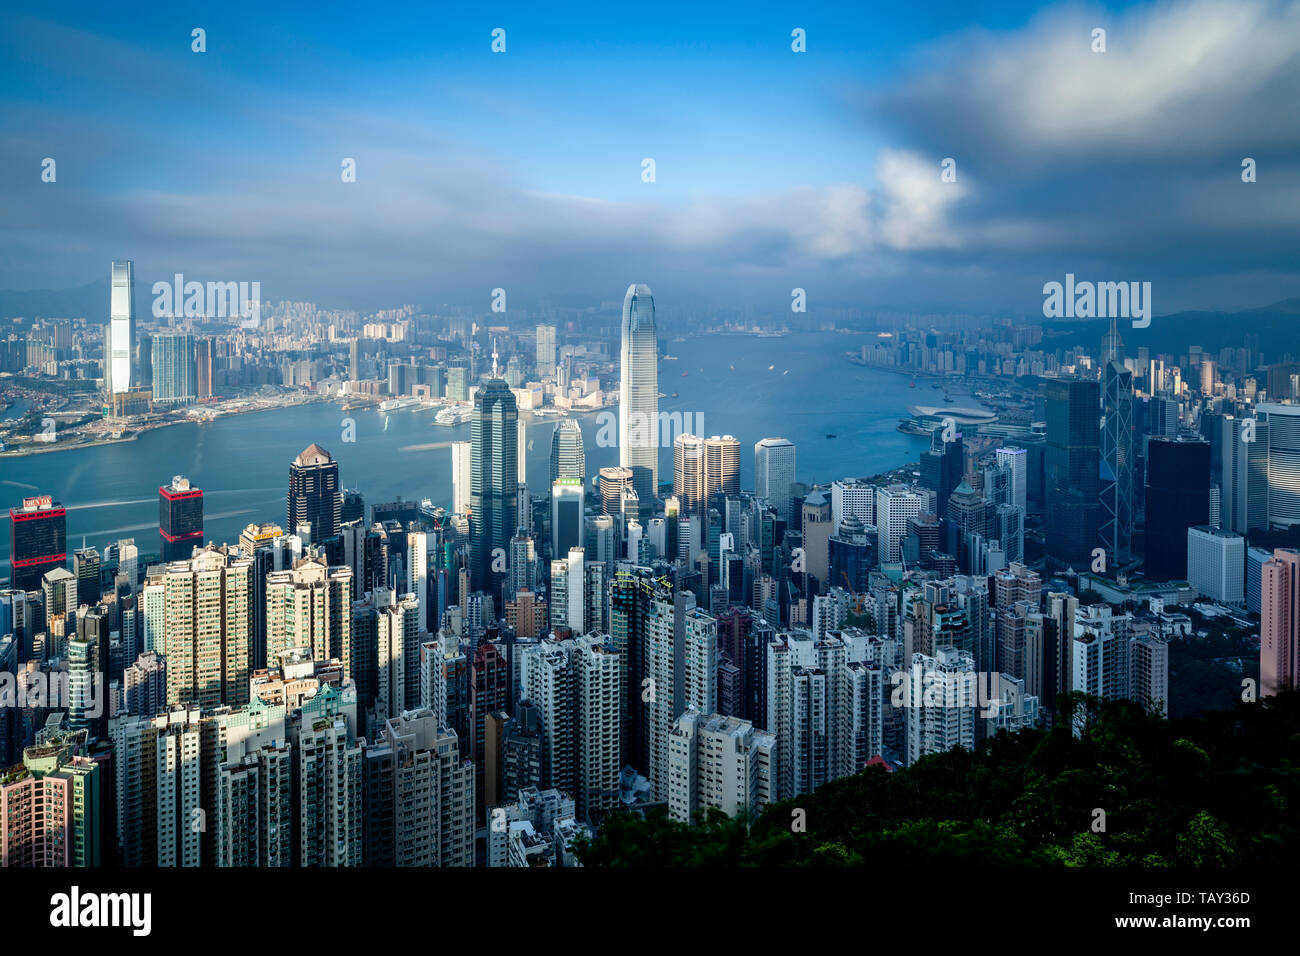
(1217, 790)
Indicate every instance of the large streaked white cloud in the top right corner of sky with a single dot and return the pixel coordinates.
(1176, 79)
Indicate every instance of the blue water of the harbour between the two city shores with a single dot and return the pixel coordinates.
(798, 386)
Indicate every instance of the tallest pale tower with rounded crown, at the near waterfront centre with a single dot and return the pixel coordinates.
(639, 396)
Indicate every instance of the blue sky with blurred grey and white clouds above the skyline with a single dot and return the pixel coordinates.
(773, 168)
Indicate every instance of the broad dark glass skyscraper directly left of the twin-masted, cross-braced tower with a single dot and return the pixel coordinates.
(1073, 468)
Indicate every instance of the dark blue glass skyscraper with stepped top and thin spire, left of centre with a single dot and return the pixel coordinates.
(493, 485)
